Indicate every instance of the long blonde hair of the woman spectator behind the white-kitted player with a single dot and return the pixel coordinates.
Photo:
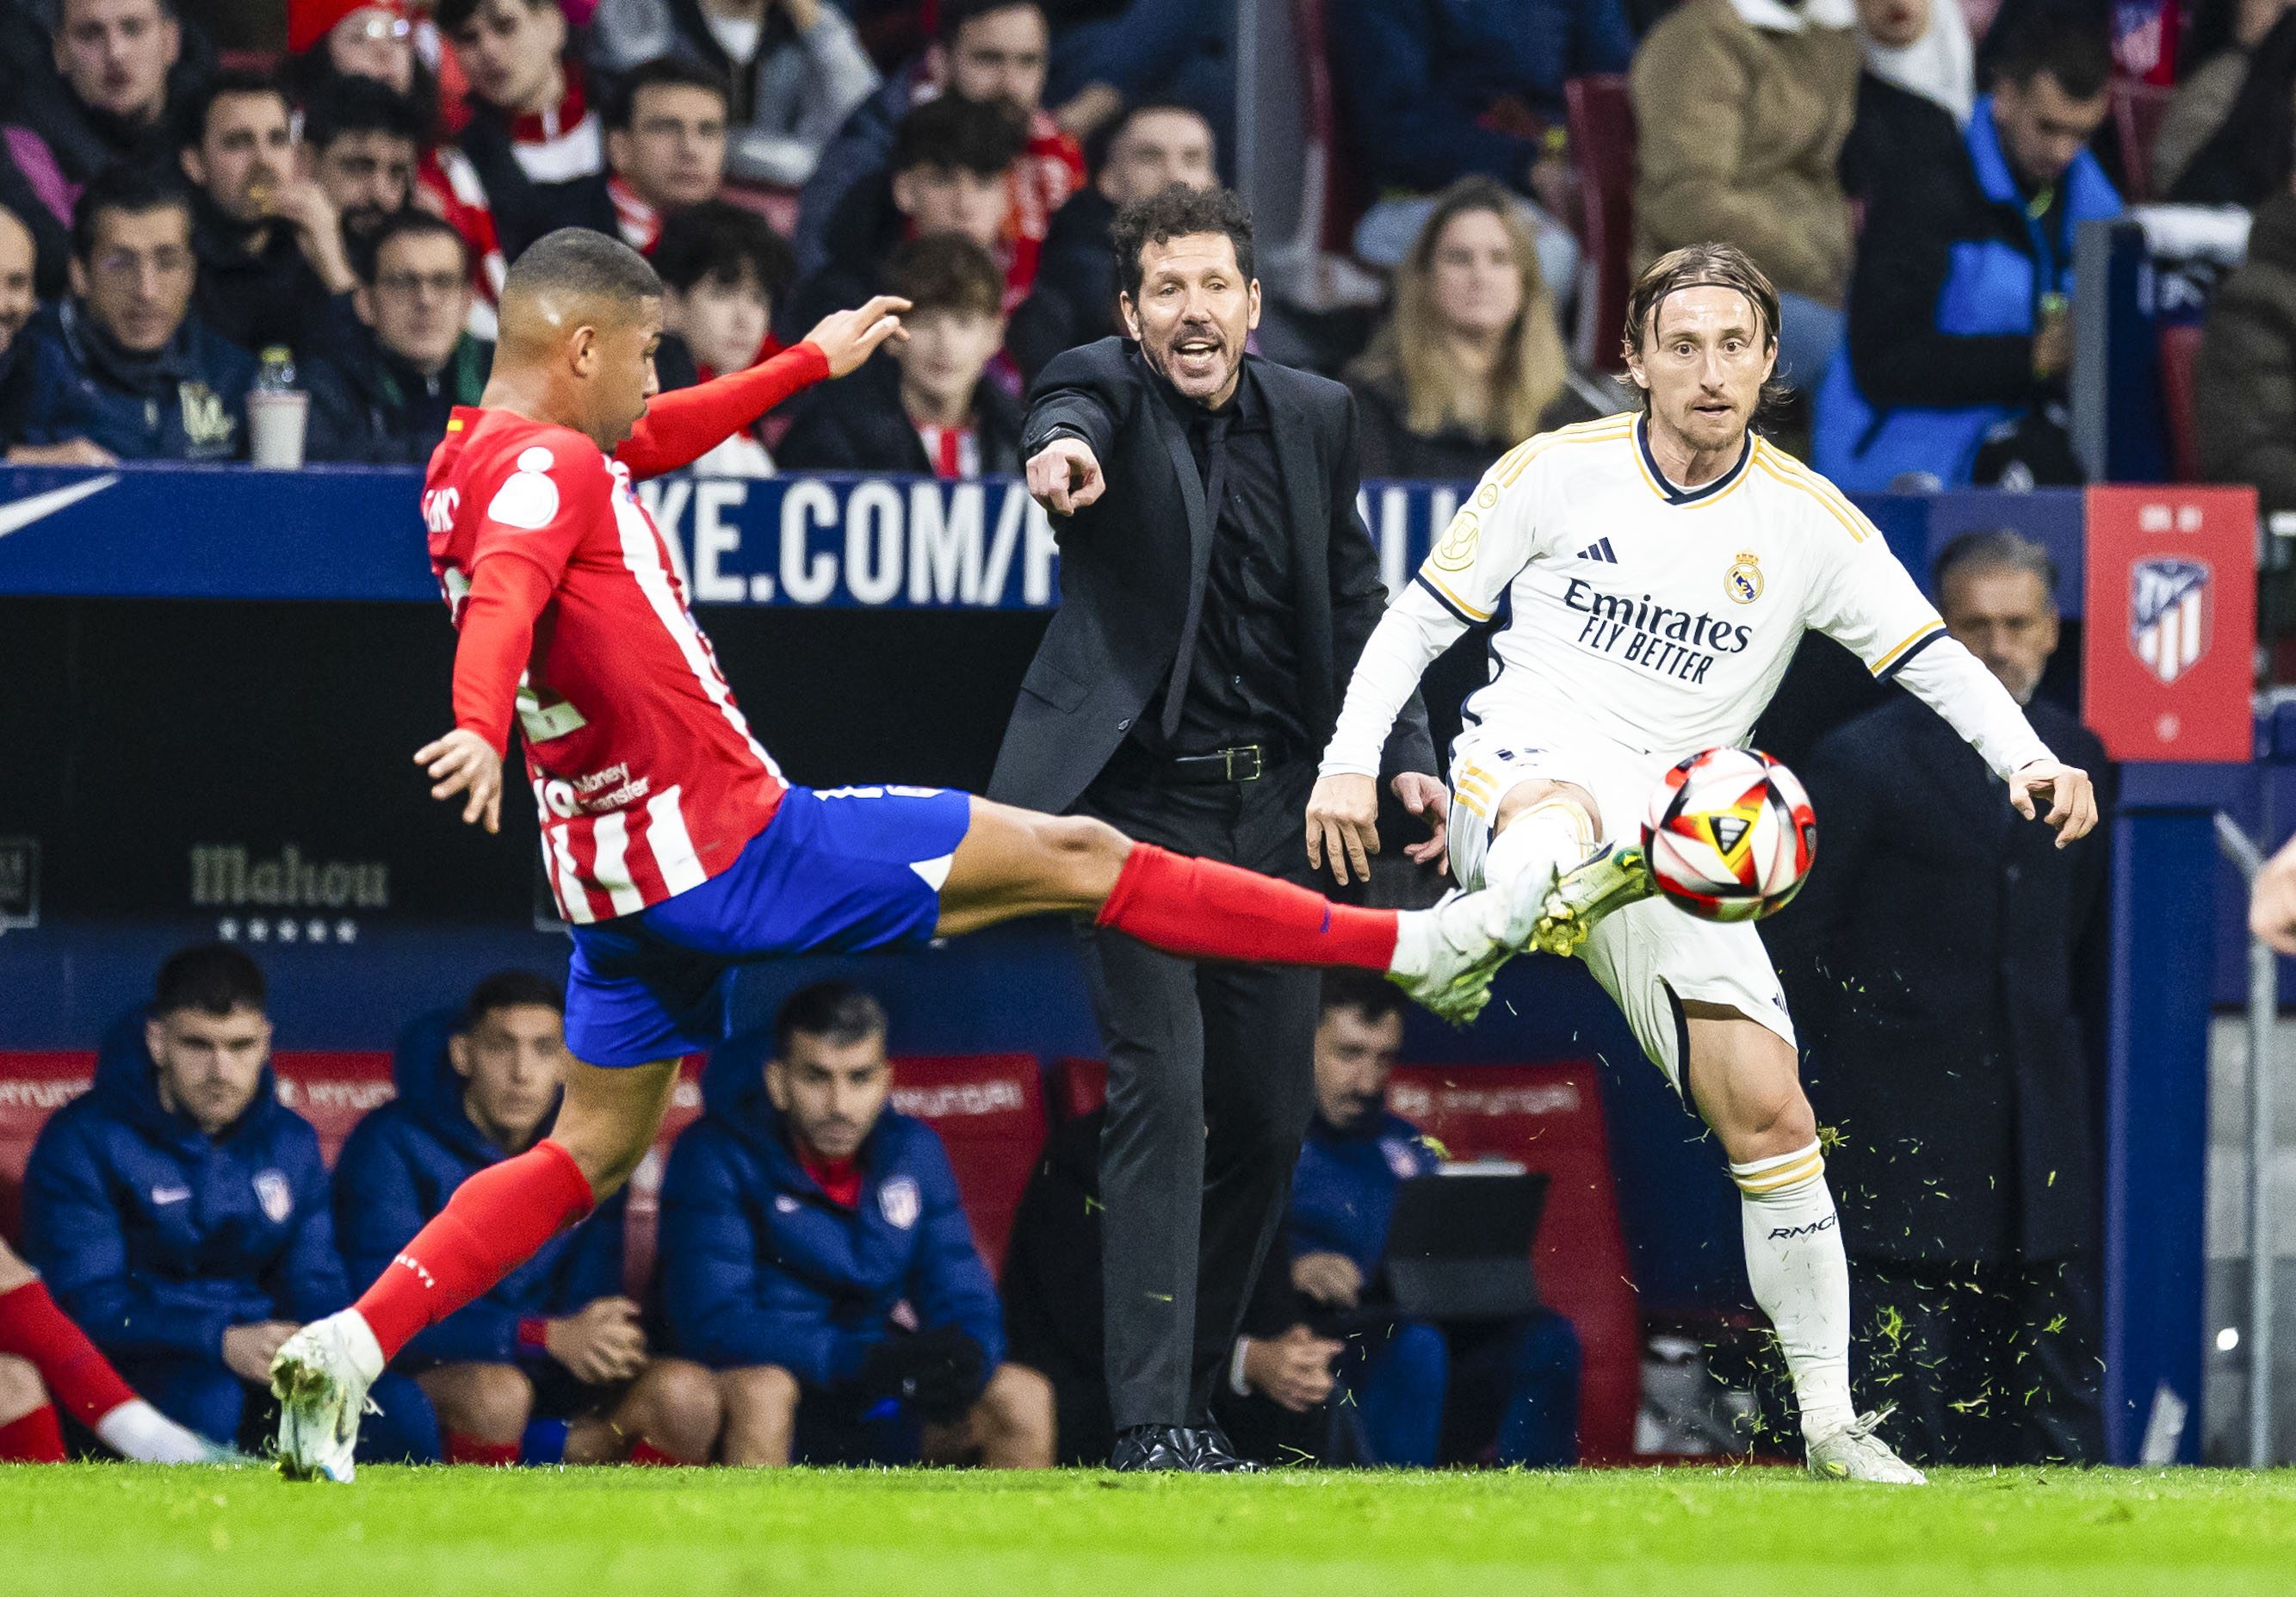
(1530, 368)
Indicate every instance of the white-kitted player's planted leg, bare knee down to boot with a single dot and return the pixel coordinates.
(1744, 1080)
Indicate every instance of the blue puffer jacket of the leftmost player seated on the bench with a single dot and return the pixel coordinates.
(160, 1240)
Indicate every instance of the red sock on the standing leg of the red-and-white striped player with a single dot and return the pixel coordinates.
(490, 1226)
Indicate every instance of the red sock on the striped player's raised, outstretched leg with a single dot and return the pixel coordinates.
(1207, 910)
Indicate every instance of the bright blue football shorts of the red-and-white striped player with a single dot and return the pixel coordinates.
(835, 873)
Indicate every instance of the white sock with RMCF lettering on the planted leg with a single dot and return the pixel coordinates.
(1801, 1279)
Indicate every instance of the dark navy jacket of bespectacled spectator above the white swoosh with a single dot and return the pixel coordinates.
(187, 403)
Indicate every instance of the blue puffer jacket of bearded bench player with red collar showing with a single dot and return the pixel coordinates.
(759, 1268)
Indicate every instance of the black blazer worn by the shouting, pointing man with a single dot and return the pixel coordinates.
(1133, 559)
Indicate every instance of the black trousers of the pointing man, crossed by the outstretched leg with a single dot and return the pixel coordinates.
(1211, 1089)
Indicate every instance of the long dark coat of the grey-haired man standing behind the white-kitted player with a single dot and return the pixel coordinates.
(1946, 967)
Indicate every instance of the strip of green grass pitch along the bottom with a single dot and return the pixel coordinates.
(118, 1532)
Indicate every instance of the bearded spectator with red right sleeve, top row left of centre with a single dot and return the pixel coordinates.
(988, 52)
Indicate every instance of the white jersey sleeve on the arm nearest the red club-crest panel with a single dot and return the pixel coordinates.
(1870, 605)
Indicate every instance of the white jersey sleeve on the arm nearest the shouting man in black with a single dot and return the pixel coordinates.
(1459, 586)
